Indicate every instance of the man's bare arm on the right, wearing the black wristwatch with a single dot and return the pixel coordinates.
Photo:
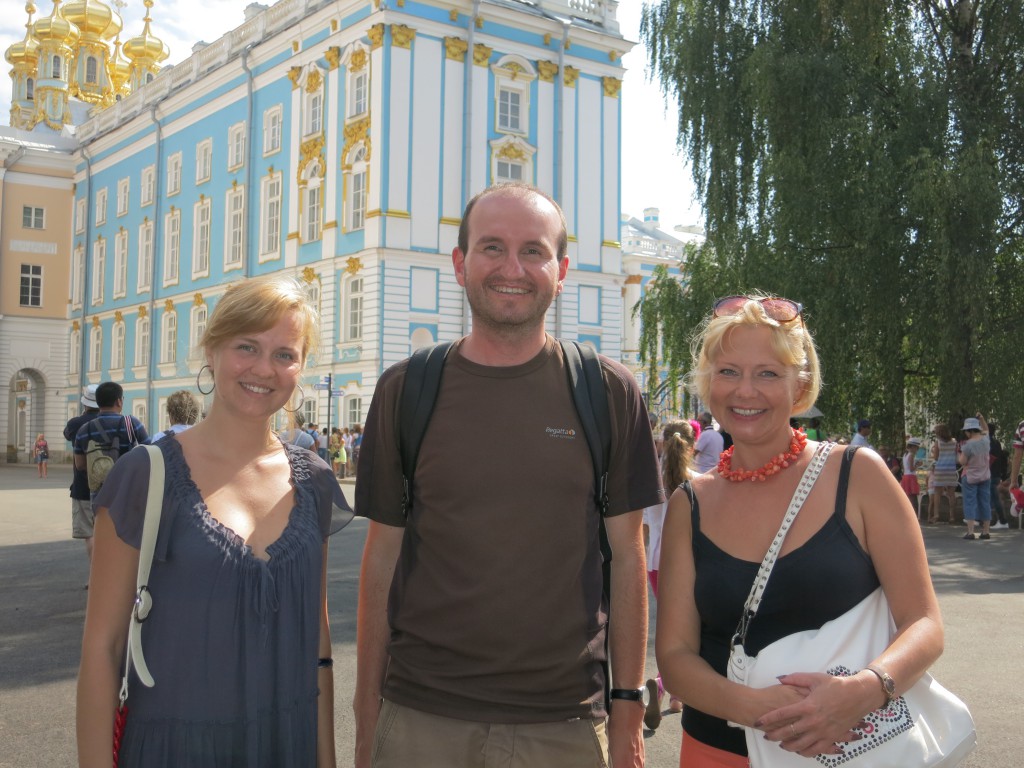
(628, 636)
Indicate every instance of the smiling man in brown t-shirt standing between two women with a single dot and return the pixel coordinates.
(482, 622)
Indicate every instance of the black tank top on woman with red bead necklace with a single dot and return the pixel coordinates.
(809, 586)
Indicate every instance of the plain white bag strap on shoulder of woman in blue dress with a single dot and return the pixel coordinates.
(144, 600)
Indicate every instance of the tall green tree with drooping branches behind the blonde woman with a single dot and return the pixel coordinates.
(864, 158)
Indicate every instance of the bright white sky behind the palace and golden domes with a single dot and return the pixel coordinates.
(654, 175)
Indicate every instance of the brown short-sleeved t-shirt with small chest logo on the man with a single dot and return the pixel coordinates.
(496, 610)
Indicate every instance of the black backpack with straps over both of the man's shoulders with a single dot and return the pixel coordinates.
(419, 393)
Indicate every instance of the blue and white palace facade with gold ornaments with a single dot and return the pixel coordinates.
(339, 142)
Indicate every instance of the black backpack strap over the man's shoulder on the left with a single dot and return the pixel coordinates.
(419, 393)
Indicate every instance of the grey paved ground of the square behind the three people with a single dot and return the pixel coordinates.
(42, 573)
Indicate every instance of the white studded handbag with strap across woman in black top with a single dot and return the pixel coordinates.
(927, 727)
